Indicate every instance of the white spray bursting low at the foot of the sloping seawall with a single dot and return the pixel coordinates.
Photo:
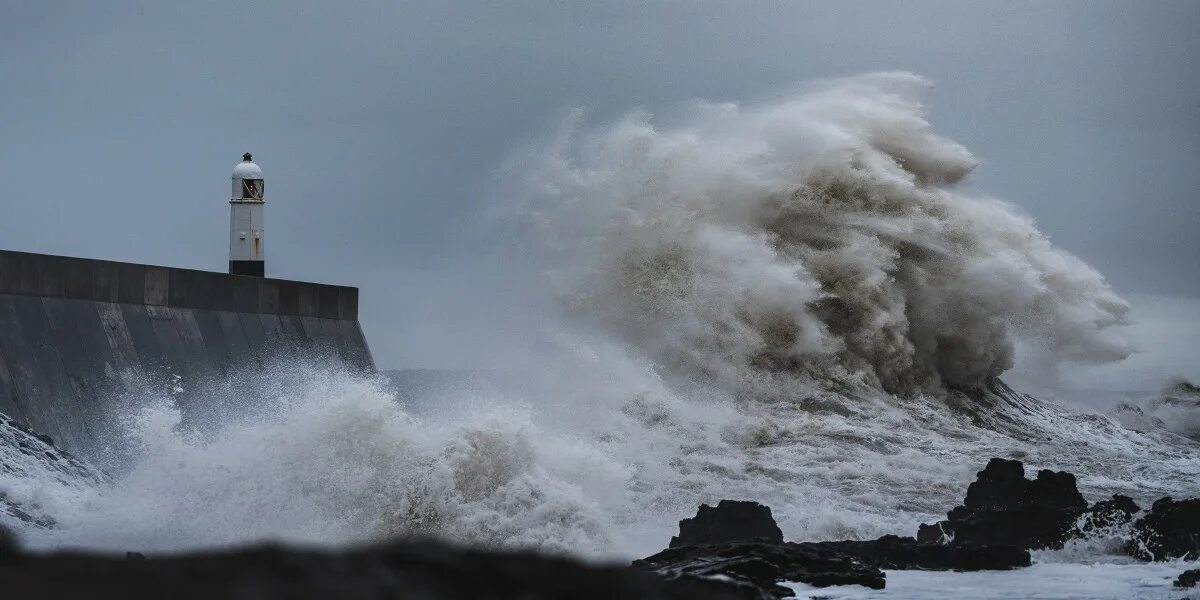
(337, 460)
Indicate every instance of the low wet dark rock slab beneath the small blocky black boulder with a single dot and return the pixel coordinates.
(761, 567)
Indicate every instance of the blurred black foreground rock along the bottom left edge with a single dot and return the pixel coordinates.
(404, 571)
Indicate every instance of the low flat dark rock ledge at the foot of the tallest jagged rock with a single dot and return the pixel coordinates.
(896, 553)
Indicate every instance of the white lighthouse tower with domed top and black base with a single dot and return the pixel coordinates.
(247, 253)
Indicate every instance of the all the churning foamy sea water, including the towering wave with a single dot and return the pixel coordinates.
(793, 303)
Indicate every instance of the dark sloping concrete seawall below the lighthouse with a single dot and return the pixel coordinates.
(75, 333)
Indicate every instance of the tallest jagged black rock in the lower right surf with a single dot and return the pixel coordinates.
(1003, 508)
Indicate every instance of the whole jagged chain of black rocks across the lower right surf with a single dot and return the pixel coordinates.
(1003, 517)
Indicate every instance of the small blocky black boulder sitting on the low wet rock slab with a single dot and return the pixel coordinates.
(728, 523)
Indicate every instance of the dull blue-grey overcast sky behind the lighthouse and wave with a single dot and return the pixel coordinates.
(380, 125)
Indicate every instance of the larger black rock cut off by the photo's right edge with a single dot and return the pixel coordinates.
(1171, 530)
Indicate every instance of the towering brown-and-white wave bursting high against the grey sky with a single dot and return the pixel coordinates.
(821, 235)
